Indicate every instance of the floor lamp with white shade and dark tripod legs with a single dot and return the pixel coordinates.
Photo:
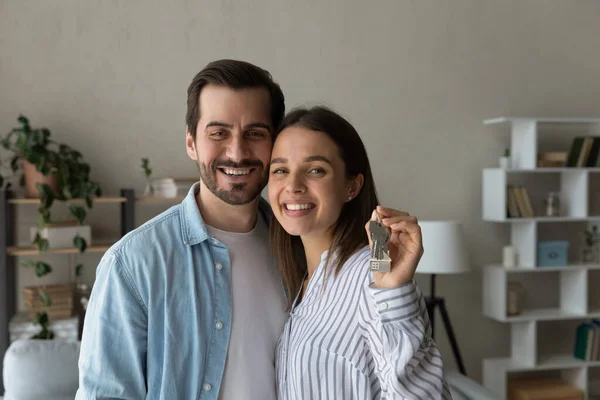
(445, 253)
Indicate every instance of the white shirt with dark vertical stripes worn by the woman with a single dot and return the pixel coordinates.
(348, 340)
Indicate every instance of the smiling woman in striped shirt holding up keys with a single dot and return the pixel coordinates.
(351, 334)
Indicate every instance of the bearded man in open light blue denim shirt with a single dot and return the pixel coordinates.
(190, 305)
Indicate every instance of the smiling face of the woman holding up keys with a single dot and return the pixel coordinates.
(307, 182)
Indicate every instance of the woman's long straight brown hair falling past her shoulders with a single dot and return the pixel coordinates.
(349, 234)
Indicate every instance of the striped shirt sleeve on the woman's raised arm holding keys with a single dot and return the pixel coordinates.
(398, 334)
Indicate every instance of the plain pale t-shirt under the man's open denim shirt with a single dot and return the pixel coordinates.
(258, 315)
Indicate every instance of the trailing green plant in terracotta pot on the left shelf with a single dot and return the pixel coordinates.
(52, 172)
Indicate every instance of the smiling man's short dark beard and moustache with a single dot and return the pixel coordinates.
(238, 193)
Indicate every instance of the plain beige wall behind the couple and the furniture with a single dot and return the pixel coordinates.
(415, 77)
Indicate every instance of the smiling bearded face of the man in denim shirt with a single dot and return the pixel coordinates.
(233, 142)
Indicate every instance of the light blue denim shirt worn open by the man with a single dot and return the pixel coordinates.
(158, 321)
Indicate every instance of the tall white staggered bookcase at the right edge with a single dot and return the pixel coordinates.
(556, 295)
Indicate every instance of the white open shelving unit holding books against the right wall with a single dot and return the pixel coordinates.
(573, 301)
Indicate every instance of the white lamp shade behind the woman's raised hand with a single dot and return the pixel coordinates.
(445, 248)
